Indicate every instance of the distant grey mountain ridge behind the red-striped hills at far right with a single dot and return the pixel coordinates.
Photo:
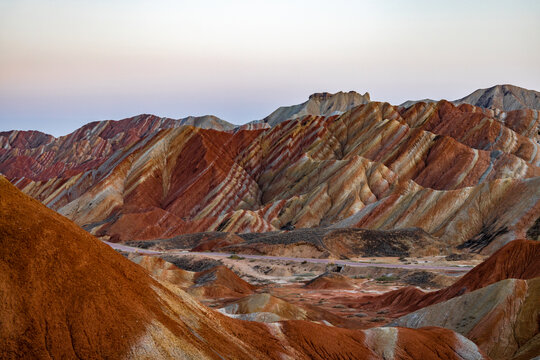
(503, 97)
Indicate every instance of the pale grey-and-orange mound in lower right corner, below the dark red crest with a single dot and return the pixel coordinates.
(502, 318)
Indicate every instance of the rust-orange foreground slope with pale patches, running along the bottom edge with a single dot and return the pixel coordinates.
(67, 295)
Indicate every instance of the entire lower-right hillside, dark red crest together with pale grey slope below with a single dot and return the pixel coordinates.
(496, 304)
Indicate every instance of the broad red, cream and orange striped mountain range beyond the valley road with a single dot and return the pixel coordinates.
(458, 173)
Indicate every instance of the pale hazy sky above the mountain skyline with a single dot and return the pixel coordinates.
(66, 63)
